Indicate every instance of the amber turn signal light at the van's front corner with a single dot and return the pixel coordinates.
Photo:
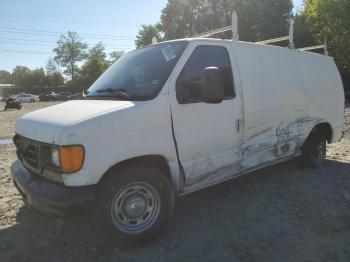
(71, 158)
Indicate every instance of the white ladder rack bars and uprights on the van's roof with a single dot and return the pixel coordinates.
(290, 37)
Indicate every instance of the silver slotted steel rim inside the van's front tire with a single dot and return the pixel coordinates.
(135, 208)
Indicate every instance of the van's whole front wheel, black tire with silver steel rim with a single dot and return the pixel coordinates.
(135, 204)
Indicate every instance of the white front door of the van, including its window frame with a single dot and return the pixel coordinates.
(207, 135)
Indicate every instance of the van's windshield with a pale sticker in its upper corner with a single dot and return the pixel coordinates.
(139, 75)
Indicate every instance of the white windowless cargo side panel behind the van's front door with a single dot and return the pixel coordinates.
(286, 93)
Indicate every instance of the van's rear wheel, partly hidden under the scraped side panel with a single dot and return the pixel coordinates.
(313, 152)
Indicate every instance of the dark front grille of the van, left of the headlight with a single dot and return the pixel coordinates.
(29, 152)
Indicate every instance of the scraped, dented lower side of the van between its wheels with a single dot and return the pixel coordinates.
(275, 144)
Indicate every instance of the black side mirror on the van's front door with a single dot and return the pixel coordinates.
(212, 83)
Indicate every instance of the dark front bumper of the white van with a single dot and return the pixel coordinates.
(49, 198)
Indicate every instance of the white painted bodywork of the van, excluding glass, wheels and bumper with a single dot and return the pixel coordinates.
(280, 96)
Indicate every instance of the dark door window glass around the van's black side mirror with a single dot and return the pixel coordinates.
(202, 57)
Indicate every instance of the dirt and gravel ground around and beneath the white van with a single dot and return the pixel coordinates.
(279, 213)
